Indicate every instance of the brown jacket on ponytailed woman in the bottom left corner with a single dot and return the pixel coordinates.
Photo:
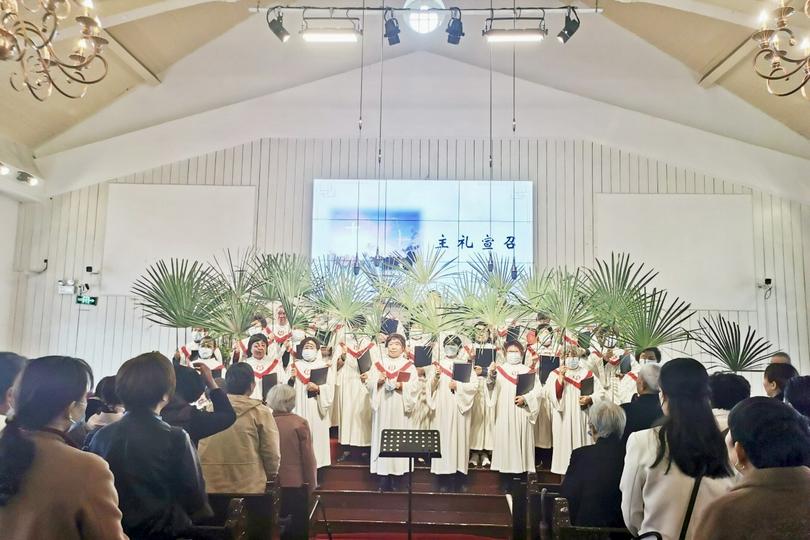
(67, 494)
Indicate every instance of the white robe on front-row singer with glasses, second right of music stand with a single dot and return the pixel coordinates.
(514, 426)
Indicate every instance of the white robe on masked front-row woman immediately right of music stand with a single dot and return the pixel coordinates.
(451, 416)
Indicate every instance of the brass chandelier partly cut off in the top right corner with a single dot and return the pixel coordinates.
(781, 60)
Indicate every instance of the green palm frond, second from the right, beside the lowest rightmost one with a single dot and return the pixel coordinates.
(655, 322)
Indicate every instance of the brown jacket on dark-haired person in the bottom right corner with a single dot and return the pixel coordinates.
(766, 504)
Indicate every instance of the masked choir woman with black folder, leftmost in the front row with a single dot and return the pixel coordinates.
(313, 402)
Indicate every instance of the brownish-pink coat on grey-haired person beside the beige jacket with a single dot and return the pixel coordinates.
(297, 456)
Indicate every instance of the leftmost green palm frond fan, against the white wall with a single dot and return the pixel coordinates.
(174, 294)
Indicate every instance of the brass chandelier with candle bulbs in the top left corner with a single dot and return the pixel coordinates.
(27, 32)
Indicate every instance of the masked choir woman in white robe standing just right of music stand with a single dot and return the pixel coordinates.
(451, 403)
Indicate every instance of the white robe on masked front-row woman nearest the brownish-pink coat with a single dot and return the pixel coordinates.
(316, 409)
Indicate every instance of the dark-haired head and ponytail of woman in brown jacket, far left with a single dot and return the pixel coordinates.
(51, 390)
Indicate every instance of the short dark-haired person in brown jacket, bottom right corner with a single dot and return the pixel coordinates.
(769, 445)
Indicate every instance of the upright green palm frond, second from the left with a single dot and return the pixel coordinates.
(234, 300)
